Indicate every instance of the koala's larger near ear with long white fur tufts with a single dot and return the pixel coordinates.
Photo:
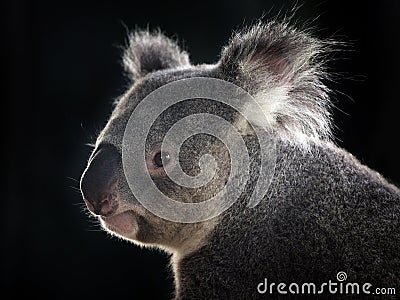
(282, 68)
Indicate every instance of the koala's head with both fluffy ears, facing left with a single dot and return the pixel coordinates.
(276, 64)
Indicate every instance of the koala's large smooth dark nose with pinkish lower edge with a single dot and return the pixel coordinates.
(100, 179)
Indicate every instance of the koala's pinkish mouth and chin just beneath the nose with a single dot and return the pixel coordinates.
(123, 224)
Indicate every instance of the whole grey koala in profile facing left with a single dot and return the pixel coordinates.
(323, 213)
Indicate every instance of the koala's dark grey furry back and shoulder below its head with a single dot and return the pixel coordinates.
(324, 213)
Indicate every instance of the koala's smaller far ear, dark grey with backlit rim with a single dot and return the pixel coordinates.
(148, 52)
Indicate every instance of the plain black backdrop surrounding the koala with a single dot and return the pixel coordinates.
(61, 73)
